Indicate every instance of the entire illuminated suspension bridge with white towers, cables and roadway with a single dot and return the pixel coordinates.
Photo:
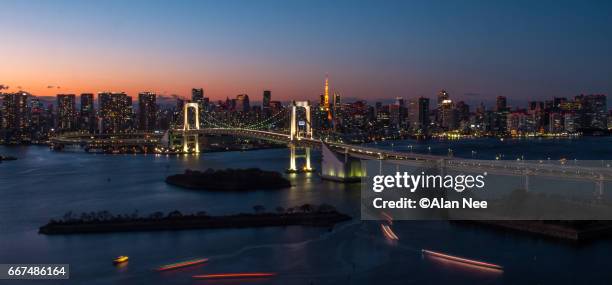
(301, 138)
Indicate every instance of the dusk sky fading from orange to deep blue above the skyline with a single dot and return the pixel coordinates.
(371, 49)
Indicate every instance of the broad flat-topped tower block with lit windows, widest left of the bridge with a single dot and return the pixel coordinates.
(115, 112)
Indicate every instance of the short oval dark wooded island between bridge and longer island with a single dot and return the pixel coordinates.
(229, 180)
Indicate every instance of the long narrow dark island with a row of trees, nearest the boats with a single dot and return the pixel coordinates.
(104, 222)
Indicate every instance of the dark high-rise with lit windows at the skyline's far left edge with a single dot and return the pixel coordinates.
(15, 120)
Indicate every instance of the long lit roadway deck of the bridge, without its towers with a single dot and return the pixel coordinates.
(500, 167)
